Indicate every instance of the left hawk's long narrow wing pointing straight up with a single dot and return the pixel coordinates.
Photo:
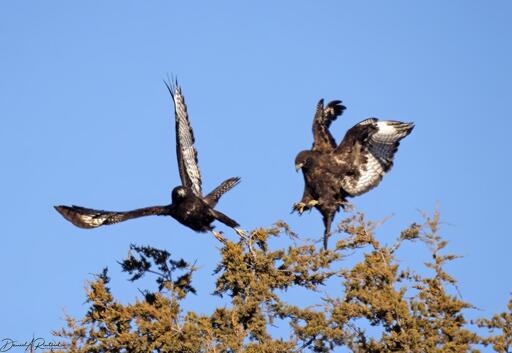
(185, 151)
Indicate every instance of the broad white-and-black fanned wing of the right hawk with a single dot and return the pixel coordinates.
(368, 148)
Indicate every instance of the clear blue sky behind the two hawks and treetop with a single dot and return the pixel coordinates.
(86, 119)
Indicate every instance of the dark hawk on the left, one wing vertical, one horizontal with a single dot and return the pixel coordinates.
(189, 206)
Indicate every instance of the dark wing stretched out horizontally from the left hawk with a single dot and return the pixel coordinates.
(88, 218)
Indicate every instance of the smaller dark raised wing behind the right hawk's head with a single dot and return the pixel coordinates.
(324, 116)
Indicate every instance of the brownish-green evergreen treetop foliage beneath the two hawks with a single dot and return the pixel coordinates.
(412, 311)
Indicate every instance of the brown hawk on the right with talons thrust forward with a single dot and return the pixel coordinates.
(334, 172)
